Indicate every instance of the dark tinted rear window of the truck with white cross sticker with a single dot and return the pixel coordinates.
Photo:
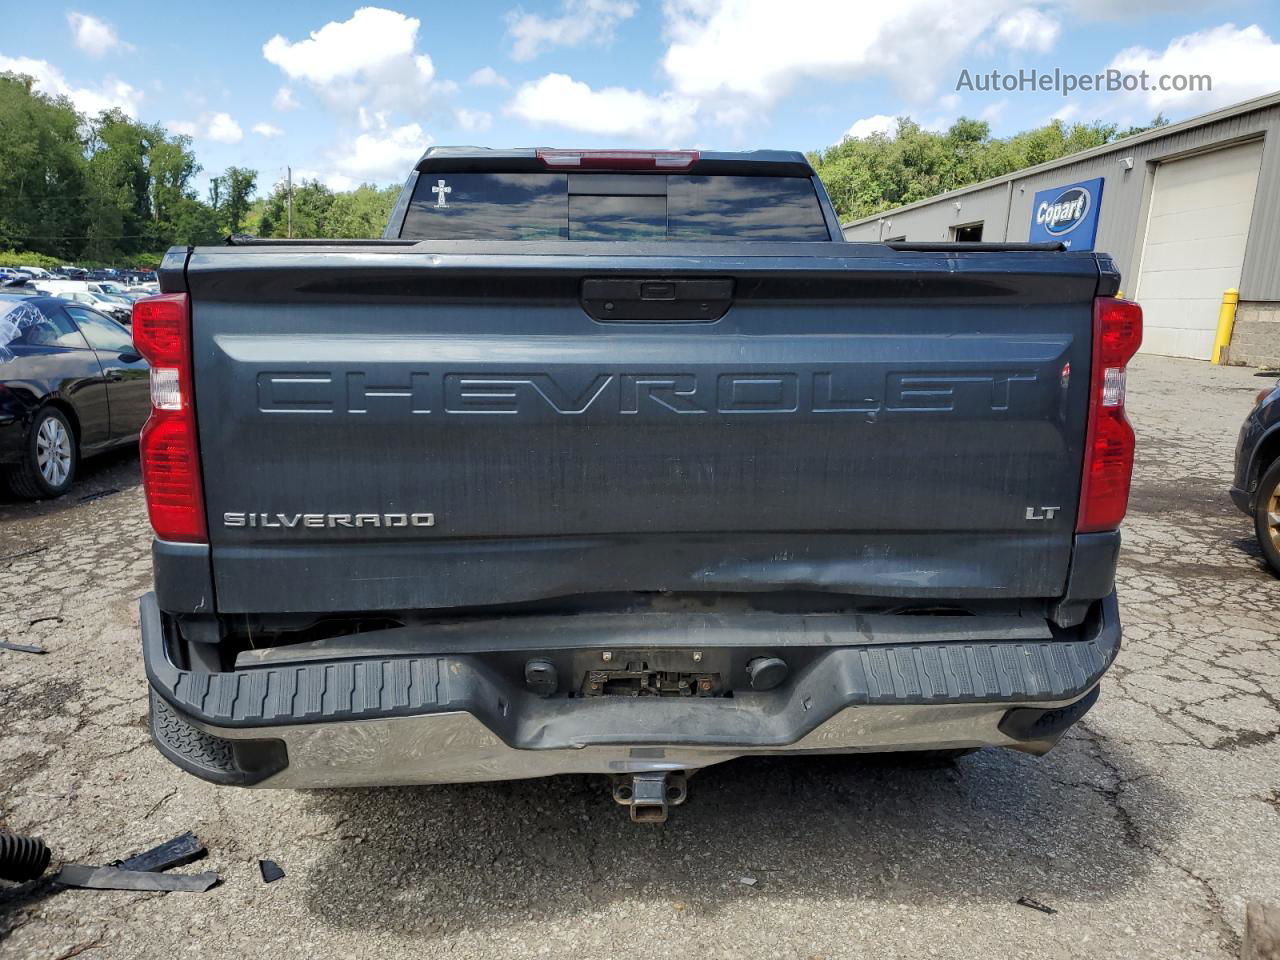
(614, 208)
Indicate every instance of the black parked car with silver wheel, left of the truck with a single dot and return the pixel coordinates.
(71, 386)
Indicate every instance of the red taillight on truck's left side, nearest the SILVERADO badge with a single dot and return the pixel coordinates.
(171, 459)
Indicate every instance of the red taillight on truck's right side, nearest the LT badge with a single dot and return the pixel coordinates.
(1109, 445)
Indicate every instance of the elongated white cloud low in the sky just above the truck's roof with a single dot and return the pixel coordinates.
(615, 112)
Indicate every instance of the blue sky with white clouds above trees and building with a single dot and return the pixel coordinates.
(349, 94)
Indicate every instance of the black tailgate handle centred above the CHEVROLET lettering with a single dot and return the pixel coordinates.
(659, 300)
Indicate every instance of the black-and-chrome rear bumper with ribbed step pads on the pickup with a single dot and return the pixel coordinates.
(455, 717)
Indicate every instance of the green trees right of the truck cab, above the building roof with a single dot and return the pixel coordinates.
(867, 176)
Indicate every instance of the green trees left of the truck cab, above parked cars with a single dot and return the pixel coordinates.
(109, 190)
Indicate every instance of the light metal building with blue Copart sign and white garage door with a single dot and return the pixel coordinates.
(1187, 211)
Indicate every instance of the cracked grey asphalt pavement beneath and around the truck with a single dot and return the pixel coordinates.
(1148, 829)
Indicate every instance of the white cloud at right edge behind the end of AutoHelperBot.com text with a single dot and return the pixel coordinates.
(1242, 62)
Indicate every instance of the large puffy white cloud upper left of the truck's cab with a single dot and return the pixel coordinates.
(368, 61)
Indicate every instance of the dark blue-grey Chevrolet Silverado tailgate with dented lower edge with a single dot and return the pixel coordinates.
(447, 424)
